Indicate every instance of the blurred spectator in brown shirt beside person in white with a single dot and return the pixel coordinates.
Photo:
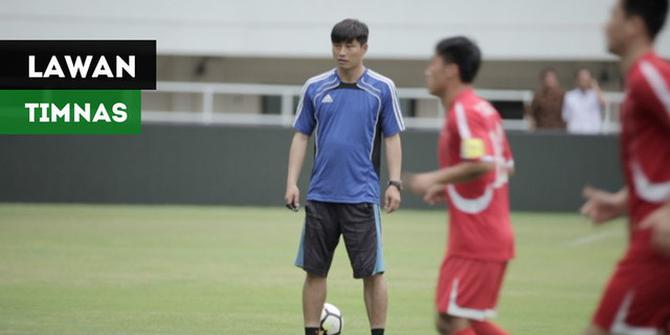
(545, 109)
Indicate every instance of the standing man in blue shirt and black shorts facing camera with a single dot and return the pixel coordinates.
(348, 109)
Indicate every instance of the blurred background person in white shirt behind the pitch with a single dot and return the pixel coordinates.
(583, 106)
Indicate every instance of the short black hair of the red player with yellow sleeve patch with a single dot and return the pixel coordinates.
(464, 53)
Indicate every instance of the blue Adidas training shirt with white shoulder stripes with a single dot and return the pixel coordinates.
(347, 121)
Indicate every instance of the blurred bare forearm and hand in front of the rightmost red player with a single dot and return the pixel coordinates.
(602, 206)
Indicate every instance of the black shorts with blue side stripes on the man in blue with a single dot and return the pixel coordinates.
(359, 224)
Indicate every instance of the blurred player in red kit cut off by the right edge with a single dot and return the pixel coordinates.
(637, 297)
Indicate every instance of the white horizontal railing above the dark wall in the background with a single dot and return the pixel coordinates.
(207, 91)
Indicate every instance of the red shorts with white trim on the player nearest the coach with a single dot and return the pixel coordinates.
(469, 288)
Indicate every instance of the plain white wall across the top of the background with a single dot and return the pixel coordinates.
(506, 29)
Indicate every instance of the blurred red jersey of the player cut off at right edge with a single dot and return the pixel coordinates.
(645, 146)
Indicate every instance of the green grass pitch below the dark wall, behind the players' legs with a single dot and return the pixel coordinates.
(76, 269)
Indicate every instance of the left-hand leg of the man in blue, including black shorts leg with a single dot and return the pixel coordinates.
(317, 246)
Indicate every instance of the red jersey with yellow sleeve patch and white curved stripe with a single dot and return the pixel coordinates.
(479, 225)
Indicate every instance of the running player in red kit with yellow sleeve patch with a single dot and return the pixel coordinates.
(475, 160)
